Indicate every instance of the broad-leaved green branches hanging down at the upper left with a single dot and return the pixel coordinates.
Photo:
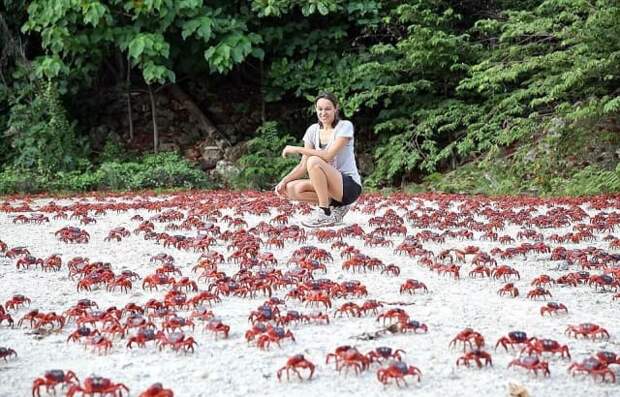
(158, 37)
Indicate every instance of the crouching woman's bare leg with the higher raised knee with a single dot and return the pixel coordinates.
(326, 180)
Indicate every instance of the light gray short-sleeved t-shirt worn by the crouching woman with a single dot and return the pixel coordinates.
(344, 161)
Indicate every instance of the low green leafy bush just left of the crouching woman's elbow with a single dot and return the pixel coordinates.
(263, 166)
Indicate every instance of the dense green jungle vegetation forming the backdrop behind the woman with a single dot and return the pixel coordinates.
(488, 96)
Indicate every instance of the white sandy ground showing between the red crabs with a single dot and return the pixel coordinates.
(233, 368)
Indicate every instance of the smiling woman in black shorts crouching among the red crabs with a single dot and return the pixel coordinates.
(329, 160)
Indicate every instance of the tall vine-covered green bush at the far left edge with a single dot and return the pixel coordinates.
(41, 135)
